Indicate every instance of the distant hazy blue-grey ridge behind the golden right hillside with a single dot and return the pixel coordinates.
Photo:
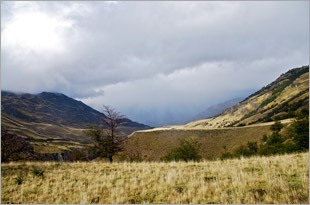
(216, 109)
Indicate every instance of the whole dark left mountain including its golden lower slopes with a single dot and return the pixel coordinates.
(53, 122)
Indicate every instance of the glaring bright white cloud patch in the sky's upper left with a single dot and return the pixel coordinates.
(35, 31)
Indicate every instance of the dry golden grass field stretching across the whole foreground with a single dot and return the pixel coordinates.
(277, 179)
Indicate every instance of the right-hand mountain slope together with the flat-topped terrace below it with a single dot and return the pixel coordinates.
(246, 121)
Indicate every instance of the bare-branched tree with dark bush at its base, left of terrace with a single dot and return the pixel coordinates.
(108, 141)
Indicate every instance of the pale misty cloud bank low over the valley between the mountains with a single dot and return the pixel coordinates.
(188, 90)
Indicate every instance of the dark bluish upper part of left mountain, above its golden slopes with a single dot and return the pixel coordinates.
(54, 108)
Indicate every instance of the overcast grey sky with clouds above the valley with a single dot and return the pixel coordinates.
(159, 63)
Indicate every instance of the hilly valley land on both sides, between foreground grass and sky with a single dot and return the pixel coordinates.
(56, 124)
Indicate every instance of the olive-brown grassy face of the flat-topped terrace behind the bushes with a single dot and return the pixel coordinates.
(154, 144)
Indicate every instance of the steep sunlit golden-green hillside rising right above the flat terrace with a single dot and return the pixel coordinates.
(278, 100)
